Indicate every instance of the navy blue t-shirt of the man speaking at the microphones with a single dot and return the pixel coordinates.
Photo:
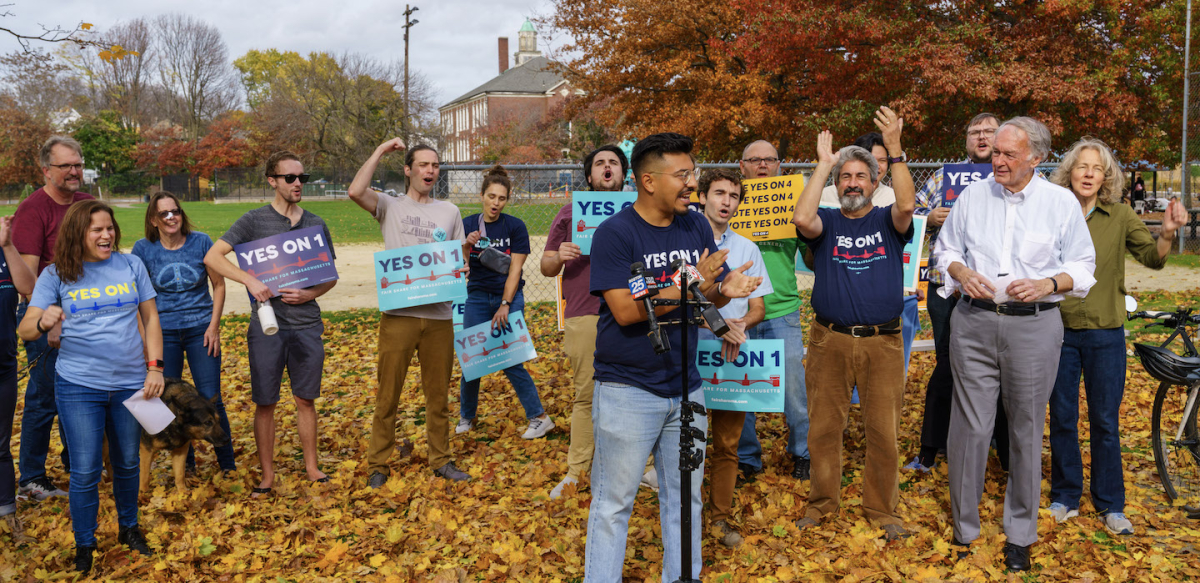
(625, 354)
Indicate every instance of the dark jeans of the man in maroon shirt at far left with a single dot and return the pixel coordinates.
(38, 419)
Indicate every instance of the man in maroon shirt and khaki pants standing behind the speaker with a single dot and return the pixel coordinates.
(604, 171)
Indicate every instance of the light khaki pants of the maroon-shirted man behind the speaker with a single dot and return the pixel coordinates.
(580, 345)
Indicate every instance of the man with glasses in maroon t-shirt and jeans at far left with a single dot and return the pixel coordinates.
(35, 231)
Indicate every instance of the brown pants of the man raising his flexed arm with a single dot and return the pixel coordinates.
(434, 344)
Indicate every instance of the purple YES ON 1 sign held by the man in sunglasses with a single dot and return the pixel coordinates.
(295, 260)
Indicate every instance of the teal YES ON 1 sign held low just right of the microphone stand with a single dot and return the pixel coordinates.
(754, 383)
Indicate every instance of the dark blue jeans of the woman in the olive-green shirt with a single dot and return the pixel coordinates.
(1101, 357)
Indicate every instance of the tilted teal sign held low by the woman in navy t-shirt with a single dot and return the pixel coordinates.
(484, 350)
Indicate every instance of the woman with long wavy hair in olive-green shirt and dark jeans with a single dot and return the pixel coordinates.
(1094, 340)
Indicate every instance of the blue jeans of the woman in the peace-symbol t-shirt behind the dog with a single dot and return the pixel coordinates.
(206, 376)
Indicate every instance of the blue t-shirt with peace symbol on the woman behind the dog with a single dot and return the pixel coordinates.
(181, 281)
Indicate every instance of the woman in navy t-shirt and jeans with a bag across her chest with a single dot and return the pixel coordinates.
(493, 296)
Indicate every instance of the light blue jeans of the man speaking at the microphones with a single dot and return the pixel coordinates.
(629, 425)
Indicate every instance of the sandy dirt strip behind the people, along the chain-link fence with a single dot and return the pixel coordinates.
(357, 290)
